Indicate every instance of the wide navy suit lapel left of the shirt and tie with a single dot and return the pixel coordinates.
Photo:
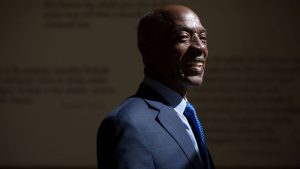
(170, 121)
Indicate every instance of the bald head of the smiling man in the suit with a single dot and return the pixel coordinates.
(173, 44)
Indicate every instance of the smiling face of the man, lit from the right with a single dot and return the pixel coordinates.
(184, 51)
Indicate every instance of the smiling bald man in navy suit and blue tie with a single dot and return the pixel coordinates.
(152, 129)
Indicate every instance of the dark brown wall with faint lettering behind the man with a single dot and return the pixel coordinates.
(64, 64)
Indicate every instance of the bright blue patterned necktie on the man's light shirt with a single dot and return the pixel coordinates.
(191, 115)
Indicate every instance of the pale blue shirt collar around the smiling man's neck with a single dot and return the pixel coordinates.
(172, 97)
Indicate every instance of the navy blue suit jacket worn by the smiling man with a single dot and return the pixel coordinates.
(144, 132)
